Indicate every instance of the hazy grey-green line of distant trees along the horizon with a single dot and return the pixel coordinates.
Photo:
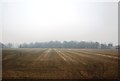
(64, 44)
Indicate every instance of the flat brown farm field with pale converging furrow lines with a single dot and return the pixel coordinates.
(54, 63)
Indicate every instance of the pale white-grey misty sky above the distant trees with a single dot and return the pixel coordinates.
(46, 20)
